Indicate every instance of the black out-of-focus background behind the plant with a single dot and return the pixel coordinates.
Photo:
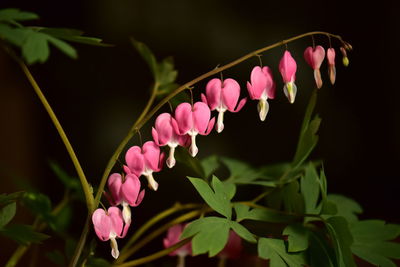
(98, 96)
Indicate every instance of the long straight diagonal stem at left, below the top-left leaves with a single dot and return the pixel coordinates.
(64, 138)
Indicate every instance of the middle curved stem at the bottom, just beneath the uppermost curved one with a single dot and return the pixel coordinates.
(157, 232)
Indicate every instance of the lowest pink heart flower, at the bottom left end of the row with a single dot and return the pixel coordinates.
(109, 225)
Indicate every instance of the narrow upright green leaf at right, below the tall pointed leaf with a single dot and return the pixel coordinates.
(310, 189)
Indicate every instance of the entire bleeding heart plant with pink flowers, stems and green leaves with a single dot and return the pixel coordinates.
(286, 217)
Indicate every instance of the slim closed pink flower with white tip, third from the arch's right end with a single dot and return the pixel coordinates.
(287, 68)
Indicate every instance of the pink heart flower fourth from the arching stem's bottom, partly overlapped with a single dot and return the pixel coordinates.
(164, 134)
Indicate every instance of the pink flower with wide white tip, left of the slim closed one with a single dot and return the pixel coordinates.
(262, 87)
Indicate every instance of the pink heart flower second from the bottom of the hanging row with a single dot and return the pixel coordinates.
(125, 191)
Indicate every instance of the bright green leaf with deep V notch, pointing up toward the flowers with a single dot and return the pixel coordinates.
(218, 199)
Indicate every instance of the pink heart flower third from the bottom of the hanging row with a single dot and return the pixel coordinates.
(145, 161)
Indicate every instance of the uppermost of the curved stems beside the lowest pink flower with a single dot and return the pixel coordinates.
(175, 208)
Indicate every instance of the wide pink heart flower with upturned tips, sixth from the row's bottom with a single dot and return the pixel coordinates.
(223, 96)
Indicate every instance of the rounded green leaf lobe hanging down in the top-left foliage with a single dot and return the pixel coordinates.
(35, 48)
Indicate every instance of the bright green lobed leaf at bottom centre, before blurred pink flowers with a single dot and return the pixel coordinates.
(210, 235)
